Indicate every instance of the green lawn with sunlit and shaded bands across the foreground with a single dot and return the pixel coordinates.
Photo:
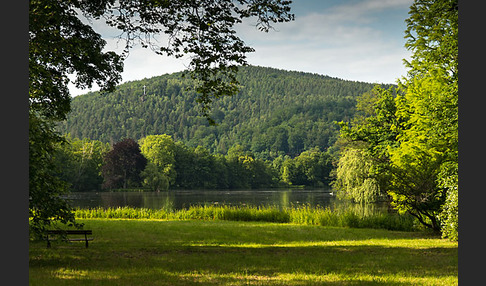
(191, 252)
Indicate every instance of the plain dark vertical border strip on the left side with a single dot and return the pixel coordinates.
(14, 160)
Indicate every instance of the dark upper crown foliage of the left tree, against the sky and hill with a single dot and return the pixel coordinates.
(60, 45)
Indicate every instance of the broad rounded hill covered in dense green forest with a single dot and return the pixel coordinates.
(276, 111)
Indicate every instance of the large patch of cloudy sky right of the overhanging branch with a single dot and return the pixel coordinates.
(346, 41)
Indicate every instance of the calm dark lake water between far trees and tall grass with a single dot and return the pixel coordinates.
(179, 199)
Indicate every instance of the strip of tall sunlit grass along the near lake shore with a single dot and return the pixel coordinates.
(303, 215)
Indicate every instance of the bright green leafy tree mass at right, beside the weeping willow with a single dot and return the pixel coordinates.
(412, 139)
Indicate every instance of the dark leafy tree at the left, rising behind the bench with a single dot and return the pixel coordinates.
(59, 45)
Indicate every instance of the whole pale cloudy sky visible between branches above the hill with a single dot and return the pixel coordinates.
(360, 40)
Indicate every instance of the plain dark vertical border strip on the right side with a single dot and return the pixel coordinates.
(471, 142)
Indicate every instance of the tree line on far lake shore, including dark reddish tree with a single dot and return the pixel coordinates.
(157, 163)
